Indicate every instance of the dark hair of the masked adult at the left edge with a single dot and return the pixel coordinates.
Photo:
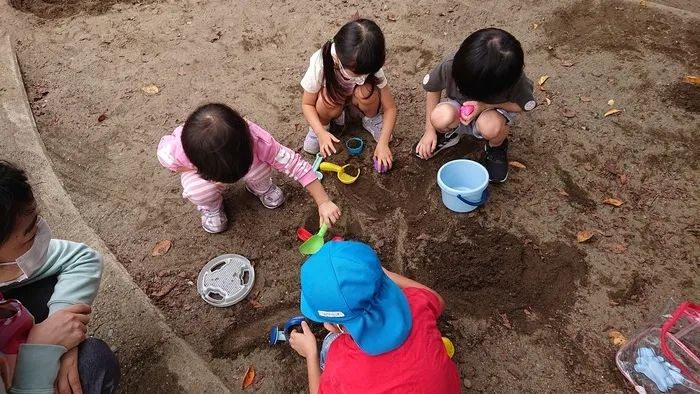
(16, 198)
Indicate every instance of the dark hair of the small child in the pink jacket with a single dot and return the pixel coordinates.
(217, 140)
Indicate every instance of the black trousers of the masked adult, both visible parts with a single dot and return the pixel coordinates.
(97, 365)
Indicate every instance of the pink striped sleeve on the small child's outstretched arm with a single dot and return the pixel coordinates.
(281, 158)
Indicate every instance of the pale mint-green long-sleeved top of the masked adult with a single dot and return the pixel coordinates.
(79, 270)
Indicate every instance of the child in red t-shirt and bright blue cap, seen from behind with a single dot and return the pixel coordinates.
(383, 327)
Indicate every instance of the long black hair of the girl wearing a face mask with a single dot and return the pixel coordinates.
(360, 48)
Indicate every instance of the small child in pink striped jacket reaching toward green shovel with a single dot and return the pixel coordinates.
(216, 146)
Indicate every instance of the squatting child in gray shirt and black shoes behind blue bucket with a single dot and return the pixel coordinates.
(485, 87)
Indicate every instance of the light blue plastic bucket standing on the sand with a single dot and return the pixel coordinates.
(464, 185)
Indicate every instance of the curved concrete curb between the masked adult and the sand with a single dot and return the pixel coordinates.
(124, 316)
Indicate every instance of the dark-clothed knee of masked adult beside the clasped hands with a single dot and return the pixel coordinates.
(98, 367)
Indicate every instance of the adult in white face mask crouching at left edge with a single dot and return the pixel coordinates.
(55, 280)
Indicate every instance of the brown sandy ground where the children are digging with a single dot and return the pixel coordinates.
(516, 258)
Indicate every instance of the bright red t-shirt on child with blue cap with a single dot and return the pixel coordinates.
(419, 366)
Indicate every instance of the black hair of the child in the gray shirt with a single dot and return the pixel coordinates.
(488, 63)
